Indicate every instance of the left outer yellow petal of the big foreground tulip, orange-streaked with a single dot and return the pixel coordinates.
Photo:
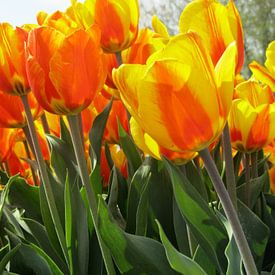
(127, 78)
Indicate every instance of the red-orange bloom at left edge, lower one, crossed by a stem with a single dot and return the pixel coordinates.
(12, 110)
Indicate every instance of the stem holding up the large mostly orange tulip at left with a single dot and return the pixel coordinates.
(83, 170)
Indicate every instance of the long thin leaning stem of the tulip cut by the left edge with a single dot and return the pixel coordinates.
(45, 178)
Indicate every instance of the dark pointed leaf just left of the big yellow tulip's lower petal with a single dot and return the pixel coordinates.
(130, 150)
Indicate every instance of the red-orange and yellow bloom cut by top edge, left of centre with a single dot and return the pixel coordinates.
(118, 21)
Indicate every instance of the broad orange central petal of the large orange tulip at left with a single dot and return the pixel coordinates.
(77, 72)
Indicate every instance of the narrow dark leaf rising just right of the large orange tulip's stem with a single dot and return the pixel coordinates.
(97, 131)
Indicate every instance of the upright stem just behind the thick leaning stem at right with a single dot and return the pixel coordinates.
(229, 166)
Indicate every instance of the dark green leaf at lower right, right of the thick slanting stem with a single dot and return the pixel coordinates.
(256, 232)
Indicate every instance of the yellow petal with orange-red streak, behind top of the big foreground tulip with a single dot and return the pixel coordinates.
(210, 20)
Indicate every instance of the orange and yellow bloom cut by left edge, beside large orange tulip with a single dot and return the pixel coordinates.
(13, 77)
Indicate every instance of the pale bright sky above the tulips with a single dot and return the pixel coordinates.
(19, 12)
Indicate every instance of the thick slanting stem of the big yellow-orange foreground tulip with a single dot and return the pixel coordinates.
(230, 213)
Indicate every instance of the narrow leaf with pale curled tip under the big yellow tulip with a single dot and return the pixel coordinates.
(139, 179)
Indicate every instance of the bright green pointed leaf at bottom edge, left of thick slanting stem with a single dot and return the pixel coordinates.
(178, 261)
